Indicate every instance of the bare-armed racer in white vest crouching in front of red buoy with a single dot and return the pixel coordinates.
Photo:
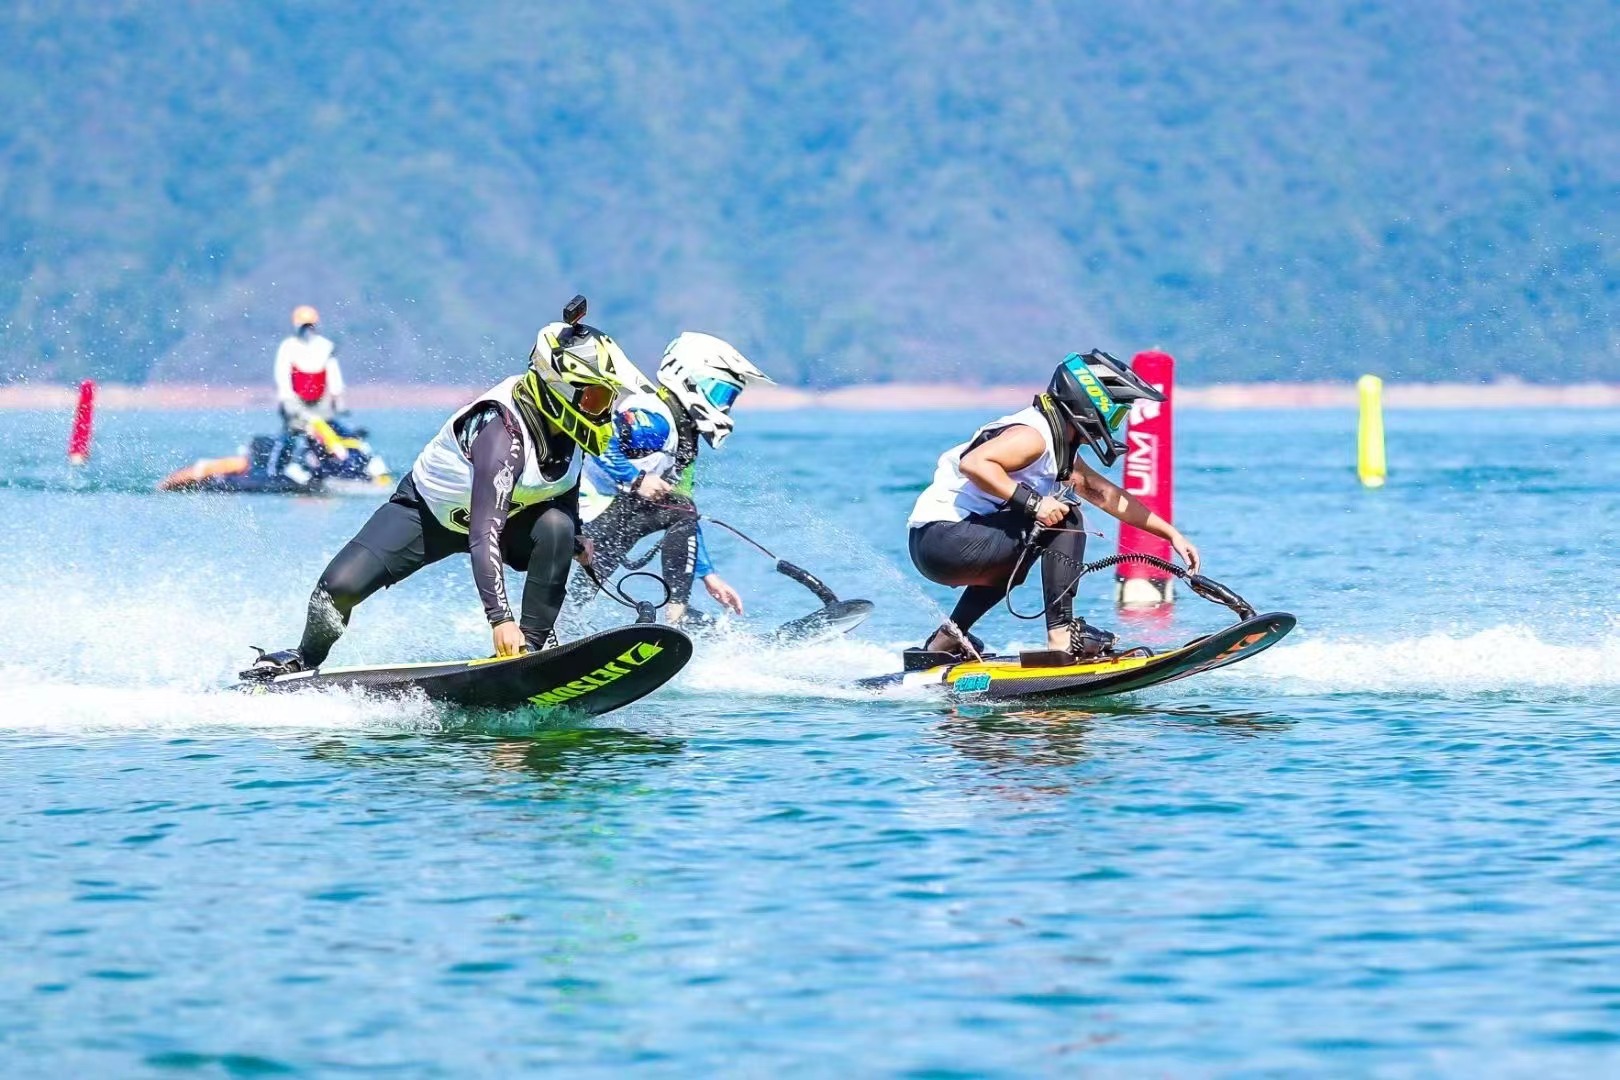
(1000, 493)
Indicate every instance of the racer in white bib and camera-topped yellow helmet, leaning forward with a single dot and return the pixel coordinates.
(500, 482)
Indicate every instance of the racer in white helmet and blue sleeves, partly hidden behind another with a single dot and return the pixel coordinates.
(642, 483)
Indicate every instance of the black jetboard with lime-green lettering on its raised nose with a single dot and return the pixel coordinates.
(592, 676)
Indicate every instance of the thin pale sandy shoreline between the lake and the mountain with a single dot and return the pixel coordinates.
(866, 398)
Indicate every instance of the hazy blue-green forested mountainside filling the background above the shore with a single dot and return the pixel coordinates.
(850, 190)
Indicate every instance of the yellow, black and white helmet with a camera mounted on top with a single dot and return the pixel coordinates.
(574, 376)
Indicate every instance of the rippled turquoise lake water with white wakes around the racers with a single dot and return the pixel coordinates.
(1384, 848)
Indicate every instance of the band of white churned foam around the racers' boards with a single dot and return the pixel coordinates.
(168, 666)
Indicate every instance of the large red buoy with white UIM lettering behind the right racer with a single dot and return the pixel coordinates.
(1151, 478)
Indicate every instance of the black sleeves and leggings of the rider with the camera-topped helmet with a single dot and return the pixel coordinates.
(404, 537)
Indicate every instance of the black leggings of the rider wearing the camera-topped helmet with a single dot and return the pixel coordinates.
(404, 537)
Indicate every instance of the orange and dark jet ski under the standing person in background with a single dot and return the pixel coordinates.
(331, 459)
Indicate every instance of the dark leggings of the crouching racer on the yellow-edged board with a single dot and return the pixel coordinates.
(984, 551)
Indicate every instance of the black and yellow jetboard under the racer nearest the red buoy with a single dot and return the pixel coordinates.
(1007, 679)
